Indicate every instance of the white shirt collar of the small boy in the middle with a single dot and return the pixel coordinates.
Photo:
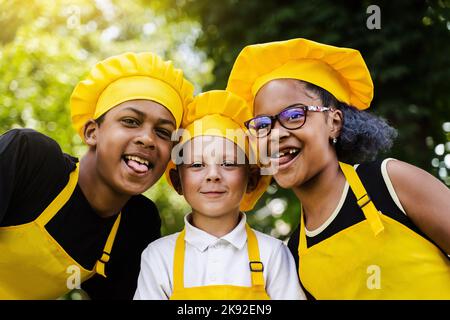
(202, 240)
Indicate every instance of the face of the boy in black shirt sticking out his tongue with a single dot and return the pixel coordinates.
(132, 145)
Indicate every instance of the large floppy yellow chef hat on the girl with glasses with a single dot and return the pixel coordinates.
(340, 71)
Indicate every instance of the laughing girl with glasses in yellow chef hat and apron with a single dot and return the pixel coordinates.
(369, 229)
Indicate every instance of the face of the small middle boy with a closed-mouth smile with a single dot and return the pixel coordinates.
(213, 181)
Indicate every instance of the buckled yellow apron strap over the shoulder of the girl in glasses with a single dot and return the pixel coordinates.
(363, 199)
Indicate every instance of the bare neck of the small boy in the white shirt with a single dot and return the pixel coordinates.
(216, 226)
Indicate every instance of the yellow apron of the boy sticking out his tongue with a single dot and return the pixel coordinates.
(33, 265)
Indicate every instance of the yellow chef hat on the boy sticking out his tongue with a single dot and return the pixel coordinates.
(125, 77)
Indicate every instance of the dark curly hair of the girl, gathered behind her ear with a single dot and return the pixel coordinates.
(363, 135)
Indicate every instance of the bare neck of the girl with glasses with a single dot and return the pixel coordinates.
(320, 195)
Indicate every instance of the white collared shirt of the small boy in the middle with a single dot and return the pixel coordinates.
(217, 261)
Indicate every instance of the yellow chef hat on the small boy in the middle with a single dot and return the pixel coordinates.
(221, 113)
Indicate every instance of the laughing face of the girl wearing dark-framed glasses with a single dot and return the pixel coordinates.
(302, 153)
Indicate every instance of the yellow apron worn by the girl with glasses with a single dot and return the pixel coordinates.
(378, 258)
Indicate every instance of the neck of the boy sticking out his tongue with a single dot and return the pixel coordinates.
(105, 201)
